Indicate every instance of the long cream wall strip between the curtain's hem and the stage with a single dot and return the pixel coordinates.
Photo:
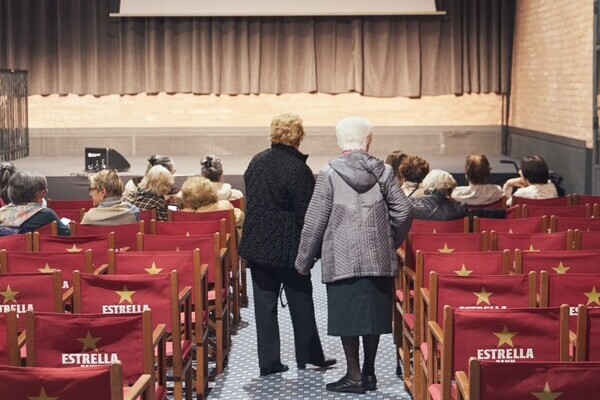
(185, 110)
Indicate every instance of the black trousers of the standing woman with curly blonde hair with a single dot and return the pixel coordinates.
(266, 283)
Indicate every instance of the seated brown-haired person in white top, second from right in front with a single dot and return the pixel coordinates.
(477, 171)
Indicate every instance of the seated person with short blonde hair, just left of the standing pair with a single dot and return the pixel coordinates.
(199, 195)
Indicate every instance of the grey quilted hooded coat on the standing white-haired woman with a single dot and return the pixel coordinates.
(348, 223)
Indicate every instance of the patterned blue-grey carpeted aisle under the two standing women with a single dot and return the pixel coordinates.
(241, 378)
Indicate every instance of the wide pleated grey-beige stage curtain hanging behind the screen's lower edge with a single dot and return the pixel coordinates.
(73, 46)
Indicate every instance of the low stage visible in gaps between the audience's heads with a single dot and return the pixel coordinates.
(67, 178)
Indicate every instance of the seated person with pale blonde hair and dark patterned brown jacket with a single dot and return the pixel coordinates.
(152, 191)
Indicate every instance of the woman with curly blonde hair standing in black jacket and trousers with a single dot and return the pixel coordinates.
(279, 186)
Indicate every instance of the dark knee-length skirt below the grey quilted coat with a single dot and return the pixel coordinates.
(360, 306)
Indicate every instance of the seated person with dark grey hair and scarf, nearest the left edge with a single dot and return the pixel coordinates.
(25, 212)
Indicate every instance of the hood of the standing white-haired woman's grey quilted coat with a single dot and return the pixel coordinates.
(359, 170)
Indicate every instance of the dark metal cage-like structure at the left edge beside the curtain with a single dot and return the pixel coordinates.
(14, 127)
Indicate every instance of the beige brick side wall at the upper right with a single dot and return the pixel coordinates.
(553, 67)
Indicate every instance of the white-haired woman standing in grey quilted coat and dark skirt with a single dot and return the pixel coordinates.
(357, 217)
